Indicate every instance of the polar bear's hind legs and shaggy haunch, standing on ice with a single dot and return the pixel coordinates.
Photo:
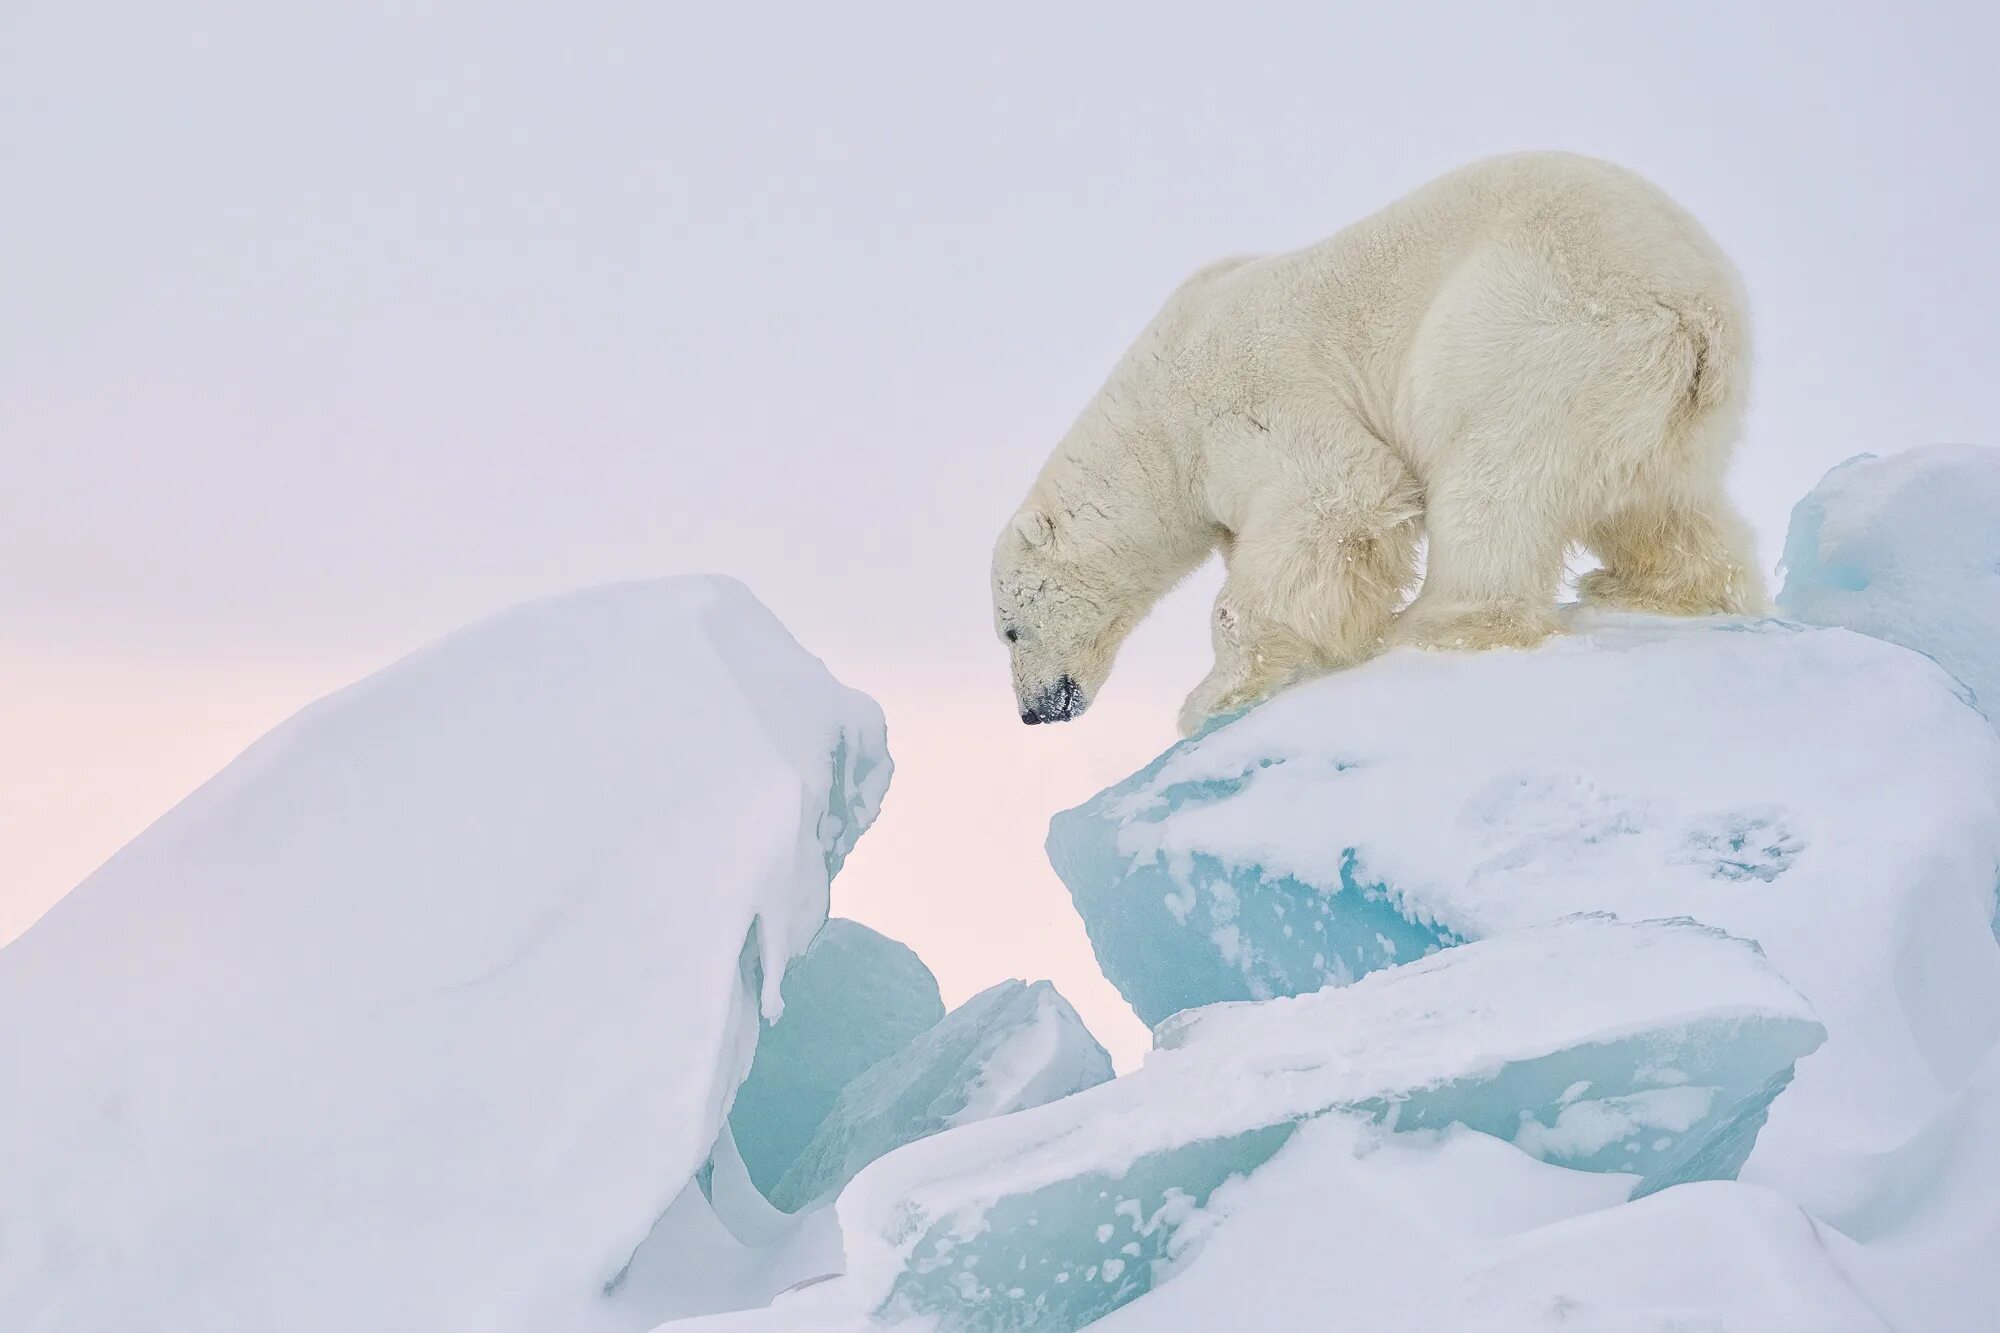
(1563, 403)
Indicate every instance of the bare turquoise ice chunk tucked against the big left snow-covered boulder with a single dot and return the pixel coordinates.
(851, 1000)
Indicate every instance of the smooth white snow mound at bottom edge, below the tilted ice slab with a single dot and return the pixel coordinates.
(1417, 1234)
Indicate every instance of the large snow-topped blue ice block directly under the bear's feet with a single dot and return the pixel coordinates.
(1817, 792)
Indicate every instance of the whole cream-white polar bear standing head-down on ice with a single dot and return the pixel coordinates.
(1531, 353)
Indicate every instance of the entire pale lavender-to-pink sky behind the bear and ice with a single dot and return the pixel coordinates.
(327, 327)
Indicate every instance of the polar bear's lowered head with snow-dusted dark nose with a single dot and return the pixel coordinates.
(1061, 615)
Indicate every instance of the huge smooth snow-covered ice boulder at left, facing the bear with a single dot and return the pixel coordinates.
(429, 1008)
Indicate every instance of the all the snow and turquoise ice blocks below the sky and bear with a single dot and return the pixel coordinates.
(1647, 982)
